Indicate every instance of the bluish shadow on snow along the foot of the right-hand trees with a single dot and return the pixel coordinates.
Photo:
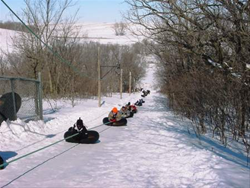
(176, 124)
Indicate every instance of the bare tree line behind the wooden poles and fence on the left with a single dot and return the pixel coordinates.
(68, 64)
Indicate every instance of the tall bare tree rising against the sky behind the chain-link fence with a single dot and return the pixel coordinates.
(46, 18)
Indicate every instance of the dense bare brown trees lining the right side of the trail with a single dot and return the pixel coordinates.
(203, 49)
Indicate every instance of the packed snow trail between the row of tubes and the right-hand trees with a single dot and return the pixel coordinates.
(154, 150)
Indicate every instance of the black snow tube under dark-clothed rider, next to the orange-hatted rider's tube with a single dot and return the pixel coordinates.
(90, 137)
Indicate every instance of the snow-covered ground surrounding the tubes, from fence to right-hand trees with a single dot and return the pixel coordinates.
(155, 149)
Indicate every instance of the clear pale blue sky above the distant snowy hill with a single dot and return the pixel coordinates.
(90, 10)
